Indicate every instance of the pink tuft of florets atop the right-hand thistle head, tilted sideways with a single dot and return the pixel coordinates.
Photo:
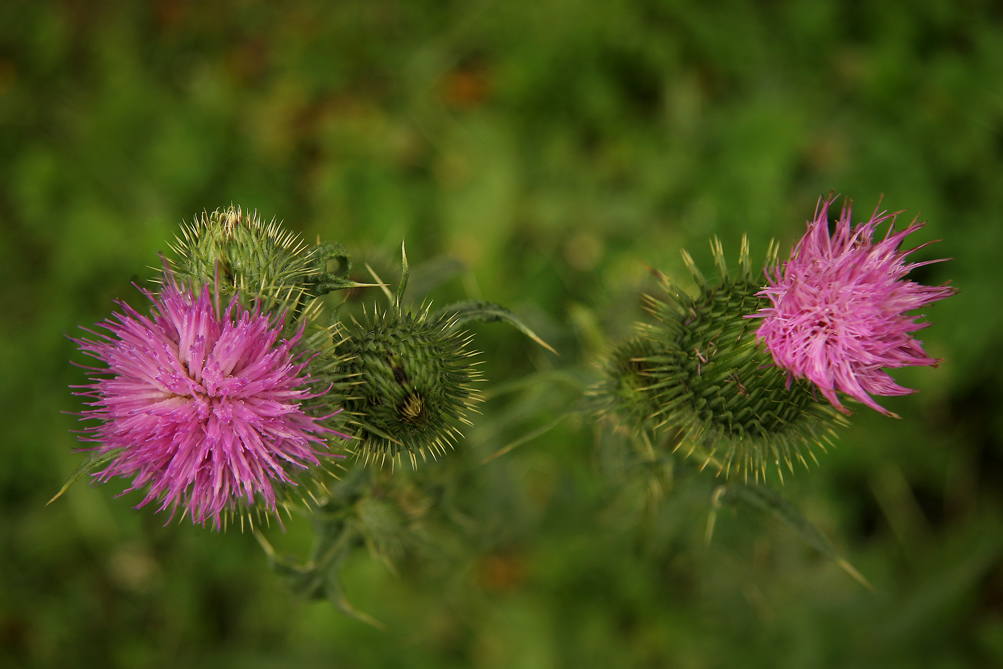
(840, 308)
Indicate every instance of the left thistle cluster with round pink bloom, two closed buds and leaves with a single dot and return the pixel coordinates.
(237, 397)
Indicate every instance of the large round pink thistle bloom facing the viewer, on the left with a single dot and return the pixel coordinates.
(203, 409)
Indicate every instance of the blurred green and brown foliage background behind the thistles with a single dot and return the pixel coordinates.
(554, 147)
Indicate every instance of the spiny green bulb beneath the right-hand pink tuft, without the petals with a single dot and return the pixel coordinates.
(718, 388)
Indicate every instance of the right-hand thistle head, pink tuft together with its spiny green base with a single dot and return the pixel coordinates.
(736, 371)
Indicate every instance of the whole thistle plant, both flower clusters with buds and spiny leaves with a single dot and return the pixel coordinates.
(241, 392)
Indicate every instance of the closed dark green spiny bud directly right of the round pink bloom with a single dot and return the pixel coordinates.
(412, 384)
